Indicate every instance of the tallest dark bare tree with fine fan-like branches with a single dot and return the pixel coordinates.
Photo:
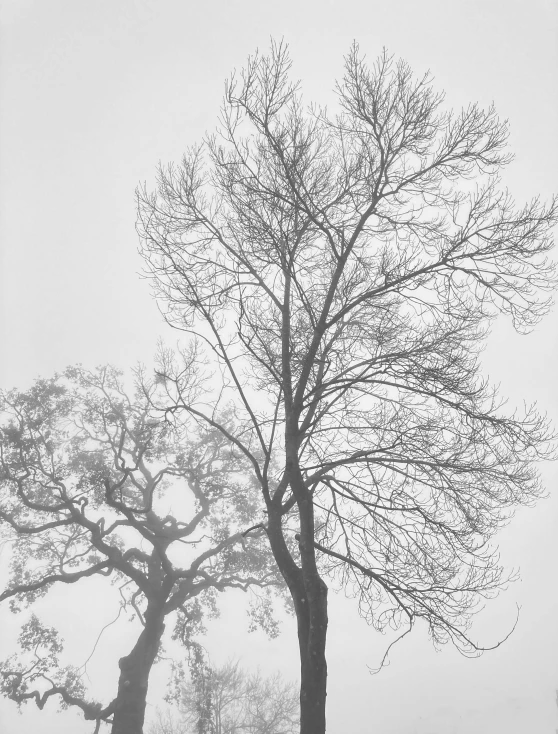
(342, 271)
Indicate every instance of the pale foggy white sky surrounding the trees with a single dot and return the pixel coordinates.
(92, 96)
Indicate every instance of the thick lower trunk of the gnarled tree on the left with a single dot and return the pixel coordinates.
(129, 713)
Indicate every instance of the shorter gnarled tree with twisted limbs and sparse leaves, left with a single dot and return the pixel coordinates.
(87, 476)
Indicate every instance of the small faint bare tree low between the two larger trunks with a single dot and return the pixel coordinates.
(228, 700)
